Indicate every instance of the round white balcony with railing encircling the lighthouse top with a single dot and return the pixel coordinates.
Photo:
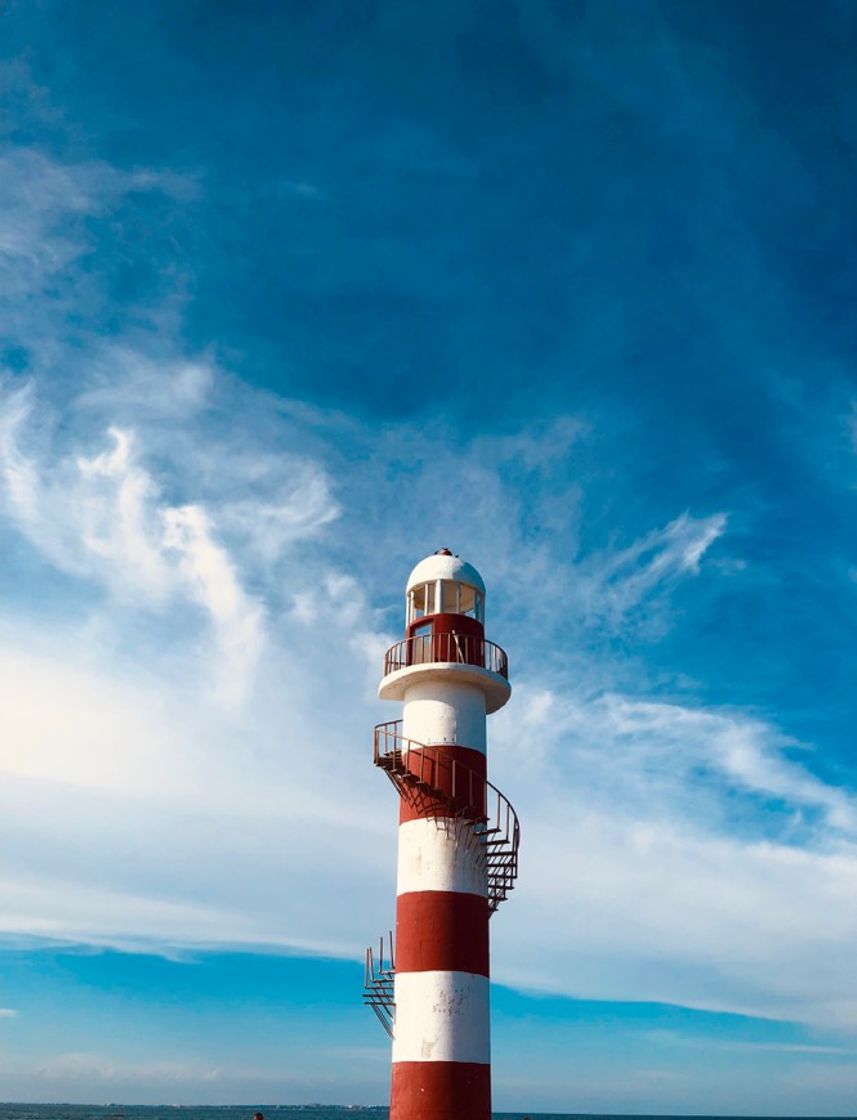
(463, 658)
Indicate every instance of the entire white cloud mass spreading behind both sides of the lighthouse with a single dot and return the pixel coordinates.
(672, 853)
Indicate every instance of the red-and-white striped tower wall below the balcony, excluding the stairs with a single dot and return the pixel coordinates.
(442, 1048)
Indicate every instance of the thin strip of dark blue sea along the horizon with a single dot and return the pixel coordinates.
(272, 1113)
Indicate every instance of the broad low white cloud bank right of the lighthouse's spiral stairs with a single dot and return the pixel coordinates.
(676, 848)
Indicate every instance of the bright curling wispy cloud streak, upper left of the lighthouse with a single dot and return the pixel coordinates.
(104, 517)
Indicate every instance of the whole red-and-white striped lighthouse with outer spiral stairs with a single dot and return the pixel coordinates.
(459, 841)
